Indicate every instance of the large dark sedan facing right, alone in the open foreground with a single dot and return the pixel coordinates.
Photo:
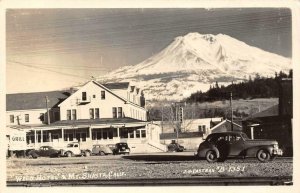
(220, 146)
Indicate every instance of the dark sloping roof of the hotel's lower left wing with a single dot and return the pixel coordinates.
(36, 100)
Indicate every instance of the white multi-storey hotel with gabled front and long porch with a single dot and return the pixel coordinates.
(94, 114)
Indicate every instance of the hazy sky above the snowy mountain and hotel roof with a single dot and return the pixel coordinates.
(50, 49)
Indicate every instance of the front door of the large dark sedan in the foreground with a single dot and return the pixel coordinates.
(236, 144)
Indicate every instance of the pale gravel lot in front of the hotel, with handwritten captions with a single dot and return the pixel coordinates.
(138, 166)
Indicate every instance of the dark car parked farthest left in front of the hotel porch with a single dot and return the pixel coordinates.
(43, 151)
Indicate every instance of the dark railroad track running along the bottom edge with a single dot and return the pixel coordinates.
(194, 181)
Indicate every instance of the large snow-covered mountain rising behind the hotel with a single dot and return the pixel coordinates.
(195, 61)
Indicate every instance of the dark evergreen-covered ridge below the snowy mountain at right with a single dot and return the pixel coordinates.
(259, 87)
